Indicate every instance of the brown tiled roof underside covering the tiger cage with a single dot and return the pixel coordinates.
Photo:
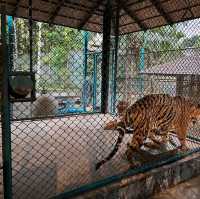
(135, 15)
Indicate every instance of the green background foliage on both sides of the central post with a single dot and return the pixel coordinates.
(58, 51)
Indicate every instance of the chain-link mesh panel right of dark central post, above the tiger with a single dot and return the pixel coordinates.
(164, 60)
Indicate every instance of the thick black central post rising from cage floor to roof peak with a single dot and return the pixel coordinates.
(105, 56)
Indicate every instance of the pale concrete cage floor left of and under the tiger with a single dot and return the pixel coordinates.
(55, 155)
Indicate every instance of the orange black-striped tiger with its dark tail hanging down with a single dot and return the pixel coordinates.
(154, 114)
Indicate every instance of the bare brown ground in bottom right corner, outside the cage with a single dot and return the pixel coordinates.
(186, 190)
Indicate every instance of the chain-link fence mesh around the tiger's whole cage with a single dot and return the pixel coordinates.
(58, 139)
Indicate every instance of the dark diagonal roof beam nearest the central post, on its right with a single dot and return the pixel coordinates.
(122, 4)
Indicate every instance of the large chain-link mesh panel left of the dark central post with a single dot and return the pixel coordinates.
(54, 139)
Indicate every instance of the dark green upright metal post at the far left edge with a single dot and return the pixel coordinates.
(5, 117)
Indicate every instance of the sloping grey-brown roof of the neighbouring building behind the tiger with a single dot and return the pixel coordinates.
(188, 64)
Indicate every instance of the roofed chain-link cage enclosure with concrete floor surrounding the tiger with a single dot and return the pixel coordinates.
(83, 58)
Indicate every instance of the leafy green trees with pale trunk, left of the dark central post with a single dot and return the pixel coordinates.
(52, 49)
